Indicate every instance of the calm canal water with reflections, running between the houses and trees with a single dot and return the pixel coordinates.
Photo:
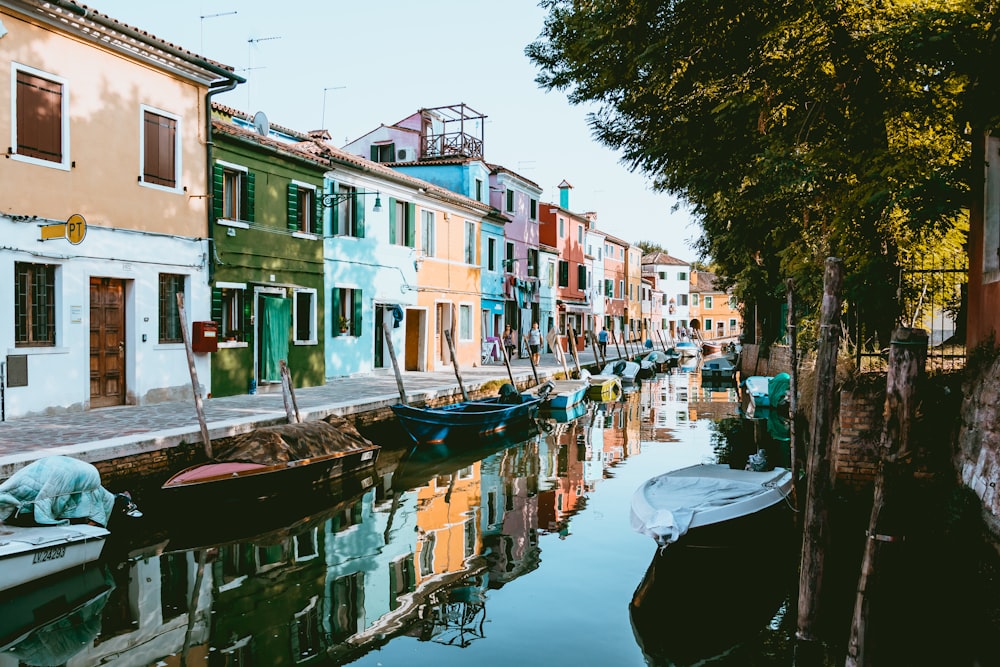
(512, 552)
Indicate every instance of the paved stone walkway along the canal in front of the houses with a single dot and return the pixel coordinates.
(109, 433)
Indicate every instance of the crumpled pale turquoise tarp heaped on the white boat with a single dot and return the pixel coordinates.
(56, 489)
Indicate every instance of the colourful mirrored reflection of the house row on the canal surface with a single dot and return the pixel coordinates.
(407, 555)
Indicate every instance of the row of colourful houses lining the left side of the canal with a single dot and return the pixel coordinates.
(138, 212)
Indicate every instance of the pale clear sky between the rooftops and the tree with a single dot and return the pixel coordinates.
(350, 65)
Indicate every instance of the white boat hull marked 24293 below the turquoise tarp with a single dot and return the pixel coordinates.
(29, 553)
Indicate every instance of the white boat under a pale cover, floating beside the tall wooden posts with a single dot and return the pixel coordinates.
(668, 506)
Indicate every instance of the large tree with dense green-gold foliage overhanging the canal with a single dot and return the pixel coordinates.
(795, 131)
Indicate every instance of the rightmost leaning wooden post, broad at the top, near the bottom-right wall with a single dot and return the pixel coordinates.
(907, 356)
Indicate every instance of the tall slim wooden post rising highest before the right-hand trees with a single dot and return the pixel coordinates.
(818, 475)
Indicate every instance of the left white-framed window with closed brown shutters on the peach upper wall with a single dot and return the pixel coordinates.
(40, 110)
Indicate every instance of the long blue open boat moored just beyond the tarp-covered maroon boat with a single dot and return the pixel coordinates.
(468, 420)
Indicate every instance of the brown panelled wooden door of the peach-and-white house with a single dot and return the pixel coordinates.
(107, 342)
